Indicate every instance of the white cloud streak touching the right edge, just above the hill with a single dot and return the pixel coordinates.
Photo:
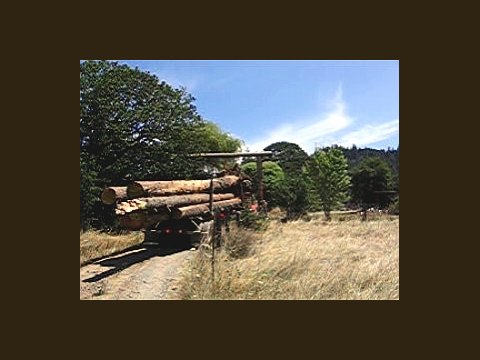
(369, 134)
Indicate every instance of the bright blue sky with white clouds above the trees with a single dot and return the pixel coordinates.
(310, 103)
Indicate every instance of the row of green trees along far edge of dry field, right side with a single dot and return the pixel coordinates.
(331, 178)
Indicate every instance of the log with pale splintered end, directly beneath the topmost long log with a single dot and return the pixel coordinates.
(160, 203)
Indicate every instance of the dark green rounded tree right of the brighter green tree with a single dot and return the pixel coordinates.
(371, 181)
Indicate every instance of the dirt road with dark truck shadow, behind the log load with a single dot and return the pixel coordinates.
(141, 273)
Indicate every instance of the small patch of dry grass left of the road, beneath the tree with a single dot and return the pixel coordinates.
(95, 244)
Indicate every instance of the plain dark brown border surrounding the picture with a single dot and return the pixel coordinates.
(42, 275)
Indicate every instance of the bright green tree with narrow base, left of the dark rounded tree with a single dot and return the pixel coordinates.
(329, 172)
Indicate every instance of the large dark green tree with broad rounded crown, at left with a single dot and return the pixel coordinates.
(133, 125)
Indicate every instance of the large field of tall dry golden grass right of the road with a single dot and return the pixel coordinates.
(302, 260)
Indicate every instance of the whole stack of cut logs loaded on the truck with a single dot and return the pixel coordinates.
(143, 204)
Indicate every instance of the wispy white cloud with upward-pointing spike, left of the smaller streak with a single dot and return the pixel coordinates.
(309, 132)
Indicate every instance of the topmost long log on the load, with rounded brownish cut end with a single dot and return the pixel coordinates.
(176, 187)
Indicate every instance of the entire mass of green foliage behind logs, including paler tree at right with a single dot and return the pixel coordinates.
(134, 127)
